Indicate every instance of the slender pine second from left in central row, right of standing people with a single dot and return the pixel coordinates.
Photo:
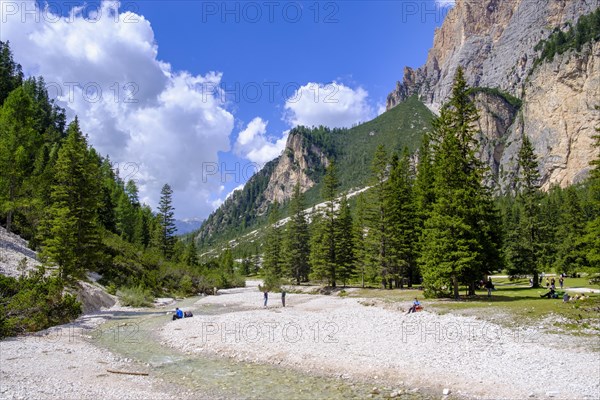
(297, 239)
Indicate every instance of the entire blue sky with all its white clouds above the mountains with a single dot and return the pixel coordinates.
(201, 93)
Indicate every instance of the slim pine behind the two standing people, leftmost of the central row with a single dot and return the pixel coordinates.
(272, 257)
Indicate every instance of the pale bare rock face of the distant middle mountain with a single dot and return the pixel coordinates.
(293, 166)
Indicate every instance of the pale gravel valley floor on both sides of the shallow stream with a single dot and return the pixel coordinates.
(354, 339)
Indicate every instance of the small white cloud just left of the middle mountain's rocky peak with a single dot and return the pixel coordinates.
(253, 143)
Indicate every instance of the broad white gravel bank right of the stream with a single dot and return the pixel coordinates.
(341, 336)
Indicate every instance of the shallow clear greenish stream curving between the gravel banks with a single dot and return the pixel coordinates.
(134, 335)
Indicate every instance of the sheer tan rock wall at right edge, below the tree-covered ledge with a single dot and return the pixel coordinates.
(559, 116)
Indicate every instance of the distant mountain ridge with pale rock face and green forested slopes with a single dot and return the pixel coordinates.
(307, 154)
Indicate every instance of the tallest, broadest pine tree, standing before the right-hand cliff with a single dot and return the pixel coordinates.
(458, 241)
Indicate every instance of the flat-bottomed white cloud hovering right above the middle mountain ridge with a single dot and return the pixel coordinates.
(333, 105)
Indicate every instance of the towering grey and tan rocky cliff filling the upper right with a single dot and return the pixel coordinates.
(495, 42)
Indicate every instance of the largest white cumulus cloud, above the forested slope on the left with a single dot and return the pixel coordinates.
(102, 65)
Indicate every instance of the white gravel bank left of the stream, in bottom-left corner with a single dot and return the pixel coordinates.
(63, 363)
